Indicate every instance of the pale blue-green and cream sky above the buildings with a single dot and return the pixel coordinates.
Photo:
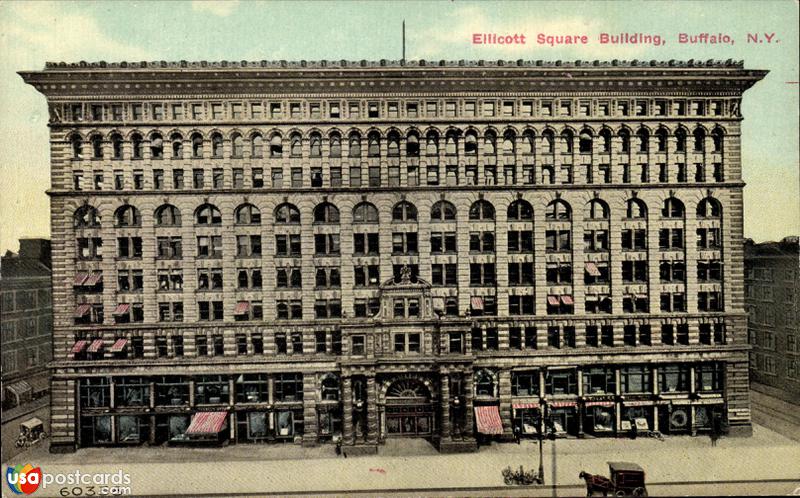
(32, 33)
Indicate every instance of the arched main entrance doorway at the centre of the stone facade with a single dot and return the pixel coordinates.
(408, 409)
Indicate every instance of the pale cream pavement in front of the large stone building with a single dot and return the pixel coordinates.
(279, 469)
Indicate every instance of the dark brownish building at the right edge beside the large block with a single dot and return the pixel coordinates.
(772, 286)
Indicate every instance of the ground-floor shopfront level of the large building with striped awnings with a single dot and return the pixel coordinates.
(452, 404)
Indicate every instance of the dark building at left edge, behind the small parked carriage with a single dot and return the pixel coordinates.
(26, 323)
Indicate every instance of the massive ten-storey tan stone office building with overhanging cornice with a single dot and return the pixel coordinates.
(266, 252)
